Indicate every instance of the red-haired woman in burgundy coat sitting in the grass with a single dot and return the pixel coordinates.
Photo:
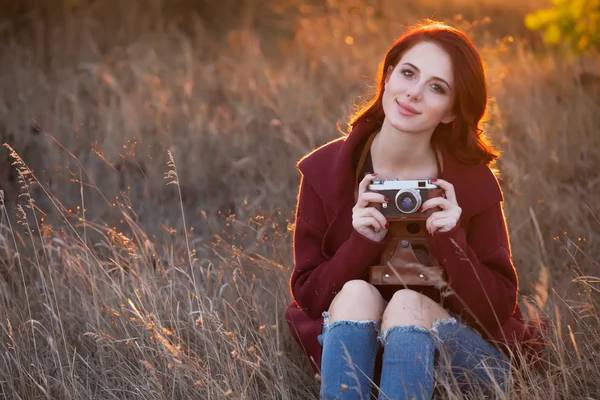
(422, 124)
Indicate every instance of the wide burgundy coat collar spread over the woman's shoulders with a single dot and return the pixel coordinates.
(330, 171)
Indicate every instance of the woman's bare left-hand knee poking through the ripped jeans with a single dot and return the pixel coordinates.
(357, 300)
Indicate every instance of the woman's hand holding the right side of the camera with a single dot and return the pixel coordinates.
(449, 215)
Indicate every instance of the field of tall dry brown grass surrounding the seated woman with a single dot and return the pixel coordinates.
(107, 291)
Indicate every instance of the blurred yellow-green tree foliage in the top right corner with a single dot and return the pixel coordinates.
(575, 23)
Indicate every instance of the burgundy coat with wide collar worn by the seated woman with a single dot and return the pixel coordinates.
(329, 252)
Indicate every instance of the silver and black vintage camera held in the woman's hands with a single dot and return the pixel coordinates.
(406, 197)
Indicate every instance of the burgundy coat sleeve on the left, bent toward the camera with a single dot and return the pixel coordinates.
(316, 278)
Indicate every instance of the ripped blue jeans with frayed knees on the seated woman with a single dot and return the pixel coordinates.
(413, 358)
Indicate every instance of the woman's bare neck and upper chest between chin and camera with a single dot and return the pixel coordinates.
(403, 155)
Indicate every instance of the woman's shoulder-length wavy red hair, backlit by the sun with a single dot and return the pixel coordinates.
(462, 138)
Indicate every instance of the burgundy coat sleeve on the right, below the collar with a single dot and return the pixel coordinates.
(482, 281)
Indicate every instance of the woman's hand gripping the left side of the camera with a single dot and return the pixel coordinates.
(368, 220)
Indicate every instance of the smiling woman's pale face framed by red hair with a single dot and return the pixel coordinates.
(419, 92)
